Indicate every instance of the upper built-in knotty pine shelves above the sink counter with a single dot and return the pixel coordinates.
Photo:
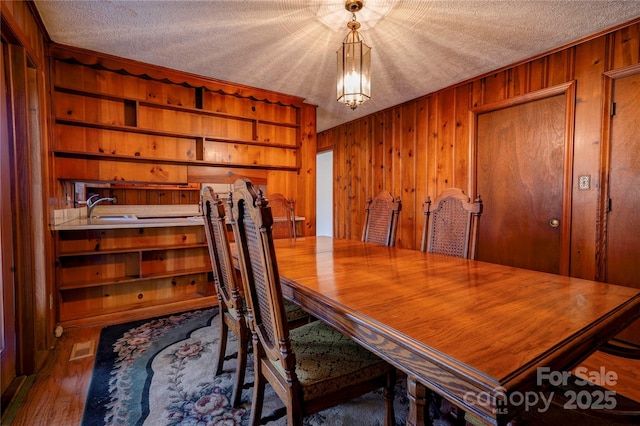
(113, 116)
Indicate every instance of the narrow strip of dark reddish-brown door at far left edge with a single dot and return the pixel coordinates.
(7, 294)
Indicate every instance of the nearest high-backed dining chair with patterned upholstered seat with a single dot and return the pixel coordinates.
(311, 367)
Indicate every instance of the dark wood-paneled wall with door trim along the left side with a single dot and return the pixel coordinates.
(26, 112)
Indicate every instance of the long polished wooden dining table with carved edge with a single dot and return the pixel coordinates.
(484, 336)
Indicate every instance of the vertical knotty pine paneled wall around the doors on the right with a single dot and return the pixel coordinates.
(423, 146)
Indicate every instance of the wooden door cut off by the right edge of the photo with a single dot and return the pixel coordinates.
(623, 219)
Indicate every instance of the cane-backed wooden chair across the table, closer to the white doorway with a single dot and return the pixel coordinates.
(381, 219)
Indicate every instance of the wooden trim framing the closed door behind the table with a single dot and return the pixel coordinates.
(569, 91)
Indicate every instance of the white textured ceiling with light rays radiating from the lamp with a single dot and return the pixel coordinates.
(289, 46)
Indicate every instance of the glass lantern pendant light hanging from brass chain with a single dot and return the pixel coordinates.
(354, 63)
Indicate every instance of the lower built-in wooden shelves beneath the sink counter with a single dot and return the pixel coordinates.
(102, 271)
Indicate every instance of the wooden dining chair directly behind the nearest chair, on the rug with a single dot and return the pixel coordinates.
(228, 288)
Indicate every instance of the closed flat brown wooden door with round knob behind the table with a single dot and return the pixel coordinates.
(520, 174)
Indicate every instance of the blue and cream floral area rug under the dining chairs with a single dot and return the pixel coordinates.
(161, 372)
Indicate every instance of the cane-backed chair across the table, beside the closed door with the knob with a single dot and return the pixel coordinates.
(451, 224)
